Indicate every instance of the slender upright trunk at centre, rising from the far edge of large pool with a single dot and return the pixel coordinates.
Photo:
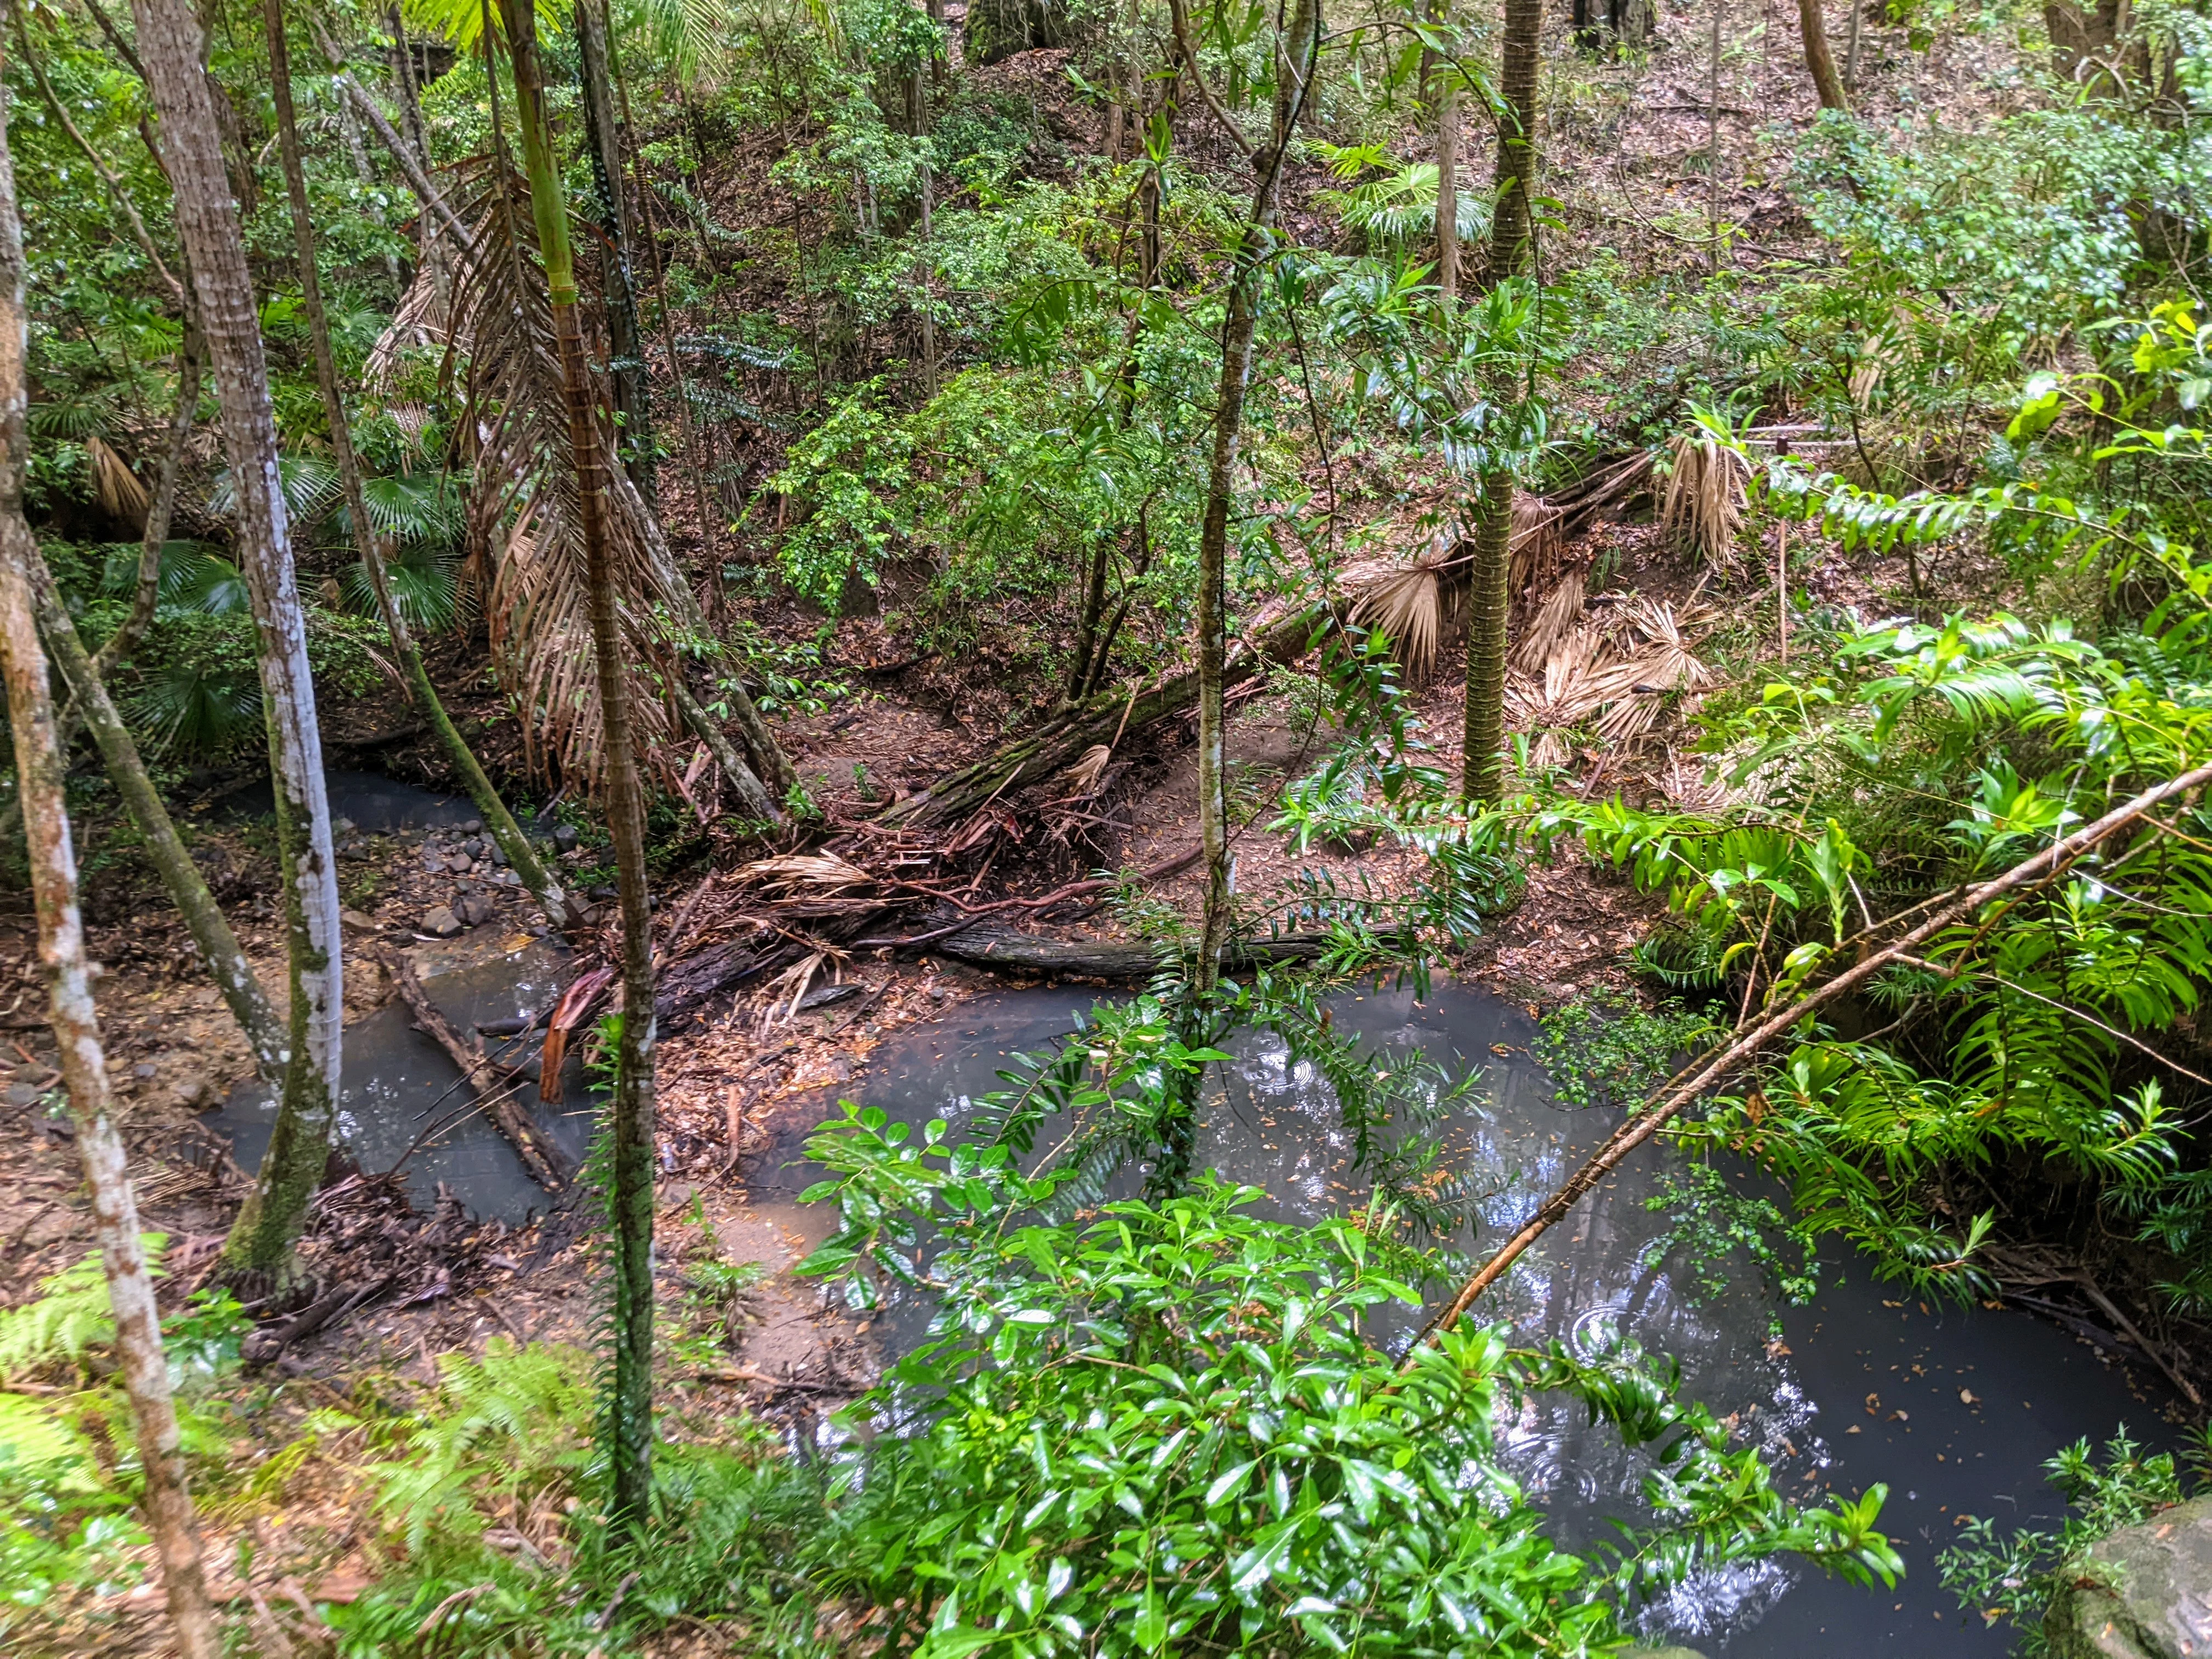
(1300, 52)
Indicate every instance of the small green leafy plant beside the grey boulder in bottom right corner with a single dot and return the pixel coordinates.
(2016, 1578)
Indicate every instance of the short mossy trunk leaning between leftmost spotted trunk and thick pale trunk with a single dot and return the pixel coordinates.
(211, 932)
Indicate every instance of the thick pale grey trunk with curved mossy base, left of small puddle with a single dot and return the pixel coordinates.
(260, 1246)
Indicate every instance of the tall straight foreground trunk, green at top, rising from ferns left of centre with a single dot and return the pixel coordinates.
(629, 1202)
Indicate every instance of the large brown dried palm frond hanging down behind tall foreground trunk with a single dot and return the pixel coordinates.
(528, 510)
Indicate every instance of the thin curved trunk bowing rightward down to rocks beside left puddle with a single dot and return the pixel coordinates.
(517, 846)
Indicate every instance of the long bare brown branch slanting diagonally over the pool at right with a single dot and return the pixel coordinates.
(1695, 1081)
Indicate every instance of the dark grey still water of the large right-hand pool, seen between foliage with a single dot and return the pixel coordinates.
(1954, 1410)
